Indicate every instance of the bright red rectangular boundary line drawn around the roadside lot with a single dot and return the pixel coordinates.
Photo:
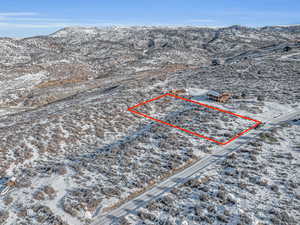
(191, 132)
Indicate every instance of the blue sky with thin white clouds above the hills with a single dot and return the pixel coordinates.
(20, 18)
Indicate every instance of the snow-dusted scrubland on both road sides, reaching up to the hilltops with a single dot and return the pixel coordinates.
(76, 151)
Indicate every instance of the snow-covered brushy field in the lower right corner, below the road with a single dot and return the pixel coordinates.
(259, 184)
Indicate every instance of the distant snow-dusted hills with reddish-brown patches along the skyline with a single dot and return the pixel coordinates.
(77, 58)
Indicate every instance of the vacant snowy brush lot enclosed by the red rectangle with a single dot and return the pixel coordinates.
(197, 118)
